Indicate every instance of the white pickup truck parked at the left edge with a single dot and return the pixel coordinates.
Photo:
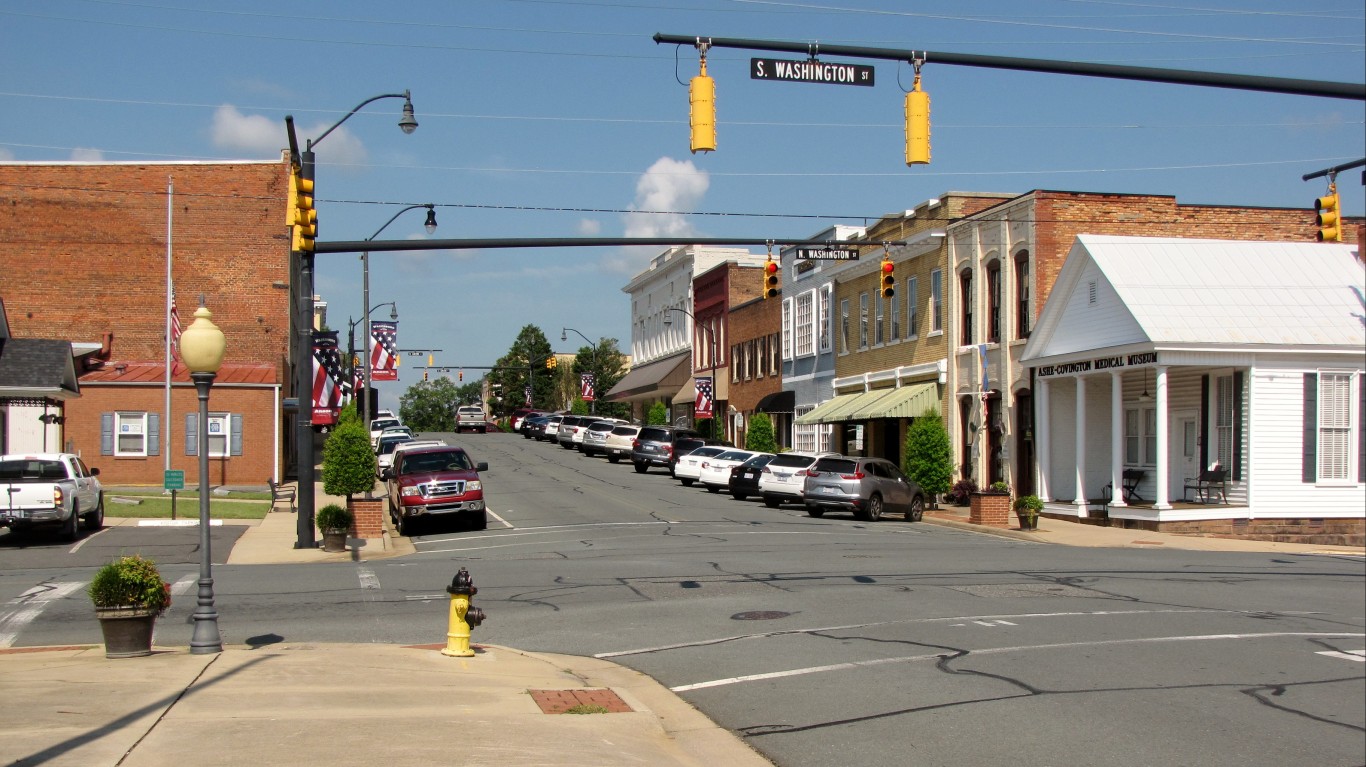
(50, 489)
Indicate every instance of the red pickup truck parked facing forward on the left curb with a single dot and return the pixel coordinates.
(435, 482)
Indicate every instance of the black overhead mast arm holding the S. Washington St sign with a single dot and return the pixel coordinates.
(1353, 91)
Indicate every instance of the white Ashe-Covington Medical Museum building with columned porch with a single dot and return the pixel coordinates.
(1166, 359)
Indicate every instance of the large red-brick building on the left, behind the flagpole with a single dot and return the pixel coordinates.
(87, 250)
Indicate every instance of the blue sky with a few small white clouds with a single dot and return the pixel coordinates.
(559, 118)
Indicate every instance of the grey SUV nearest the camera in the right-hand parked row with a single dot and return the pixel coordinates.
(868, 487)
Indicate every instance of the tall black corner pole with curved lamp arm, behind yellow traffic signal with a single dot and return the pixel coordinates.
(303, 269)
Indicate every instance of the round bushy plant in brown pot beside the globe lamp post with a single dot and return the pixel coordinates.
(129, 595)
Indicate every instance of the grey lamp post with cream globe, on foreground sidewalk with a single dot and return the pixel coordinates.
(201, 348)
